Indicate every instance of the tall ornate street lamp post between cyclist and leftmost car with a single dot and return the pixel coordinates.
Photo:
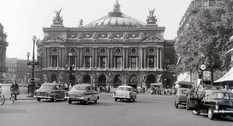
(31, 85)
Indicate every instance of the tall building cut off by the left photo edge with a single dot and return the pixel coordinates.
(3, 47)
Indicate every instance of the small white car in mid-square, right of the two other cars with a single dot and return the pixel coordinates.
(125, 92)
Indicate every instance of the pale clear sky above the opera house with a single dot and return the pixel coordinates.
(23, 19)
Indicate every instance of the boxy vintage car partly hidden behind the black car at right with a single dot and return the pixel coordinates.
(180, 93)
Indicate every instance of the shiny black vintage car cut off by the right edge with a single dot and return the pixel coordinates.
(215, 103)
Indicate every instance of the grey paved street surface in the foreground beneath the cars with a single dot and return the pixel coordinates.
(147, 110)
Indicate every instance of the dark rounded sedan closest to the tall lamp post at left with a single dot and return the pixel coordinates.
(51, 91)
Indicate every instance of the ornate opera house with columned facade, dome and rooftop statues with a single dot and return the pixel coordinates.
(111, 51)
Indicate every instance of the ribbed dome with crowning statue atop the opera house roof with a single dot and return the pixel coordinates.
(116, 19)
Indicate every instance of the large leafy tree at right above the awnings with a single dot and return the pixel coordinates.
(208, 33)
